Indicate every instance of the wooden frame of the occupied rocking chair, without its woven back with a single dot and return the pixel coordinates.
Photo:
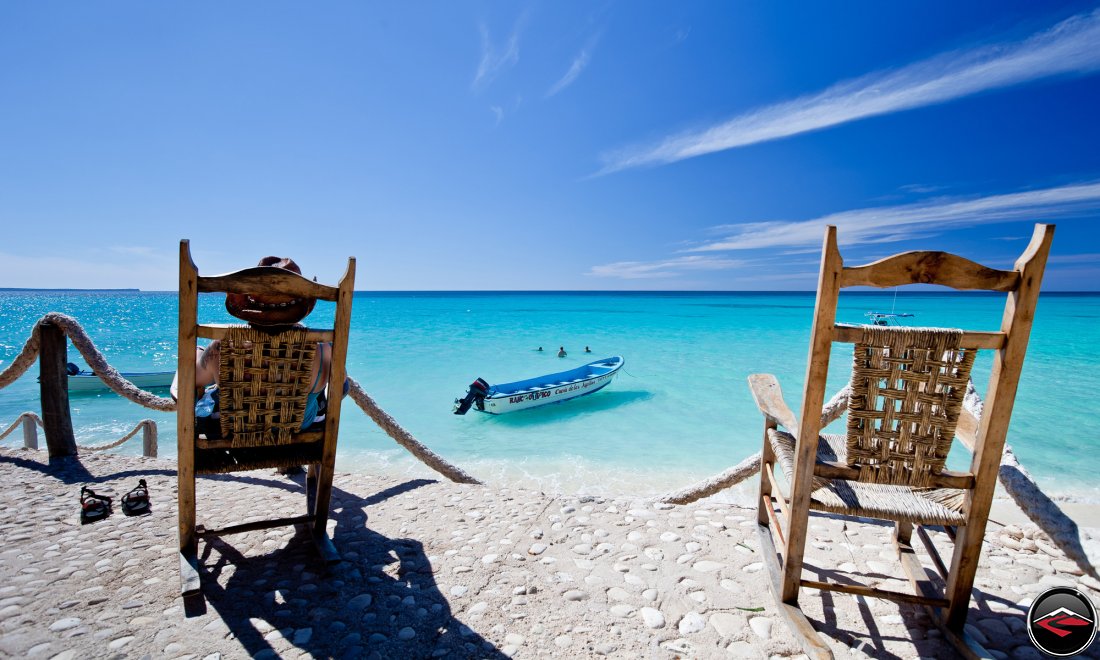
(261, 280)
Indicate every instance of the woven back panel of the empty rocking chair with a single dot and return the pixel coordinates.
(907, 393)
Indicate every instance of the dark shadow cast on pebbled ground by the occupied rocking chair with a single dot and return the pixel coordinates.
(381, 601)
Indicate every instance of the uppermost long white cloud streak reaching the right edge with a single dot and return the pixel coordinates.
(1069, 48)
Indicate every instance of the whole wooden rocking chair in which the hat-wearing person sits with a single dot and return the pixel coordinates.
(265, 380)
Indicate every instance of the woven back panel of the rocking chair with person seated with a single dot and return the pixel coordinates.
(265, 380)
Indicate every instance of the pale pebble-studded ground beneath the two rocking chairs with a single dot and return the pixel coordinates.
(434, 569)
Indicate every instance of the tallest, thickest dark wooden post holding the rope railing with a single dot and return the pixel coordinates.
(54, 391)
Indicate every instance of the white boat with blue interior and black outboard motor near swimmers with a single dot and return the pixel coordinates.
(552, 389)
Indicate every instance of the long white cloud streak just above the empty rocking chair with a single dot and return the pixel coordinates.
(886, 225)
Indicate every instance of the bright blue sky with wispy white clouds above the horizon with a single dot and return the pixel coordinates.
(543, 146)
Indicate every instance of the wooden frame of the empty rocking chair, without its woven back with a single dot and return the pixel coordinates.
(784, 553)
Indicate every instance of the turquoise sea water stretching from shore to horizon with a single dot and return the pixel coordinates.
(678, 413)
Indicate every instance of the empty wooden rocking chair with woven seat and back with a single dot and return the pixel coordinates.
(904, 412)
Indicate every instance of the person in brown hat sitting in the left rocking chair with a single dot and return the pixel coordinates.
(271, 314)
